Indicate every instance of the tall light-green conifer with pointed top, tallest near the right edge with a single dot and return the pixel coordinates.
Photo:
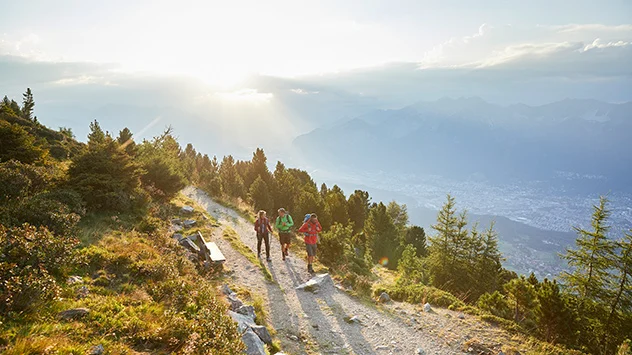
(591, 260)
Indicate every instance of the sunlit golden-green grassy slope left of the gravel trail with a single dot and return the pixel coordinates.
(144, 296)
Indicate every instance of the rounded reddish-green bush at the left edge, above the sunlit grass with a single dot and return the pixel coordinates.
(31, 262)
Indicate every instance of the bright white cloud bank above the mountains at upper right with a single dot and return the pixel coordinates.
(589, 50)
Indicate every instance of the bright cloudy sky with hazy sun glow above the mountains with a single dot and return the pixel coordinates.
(296, 64)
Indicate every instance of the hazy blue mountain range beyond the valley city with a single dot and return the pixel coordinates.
(586, 141)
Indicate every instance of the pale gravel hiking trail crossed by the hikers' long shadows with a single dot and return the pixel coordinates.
(308, 323)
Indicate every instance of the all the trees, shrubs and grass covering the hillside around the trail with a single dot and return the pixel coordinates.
(99, 210)
